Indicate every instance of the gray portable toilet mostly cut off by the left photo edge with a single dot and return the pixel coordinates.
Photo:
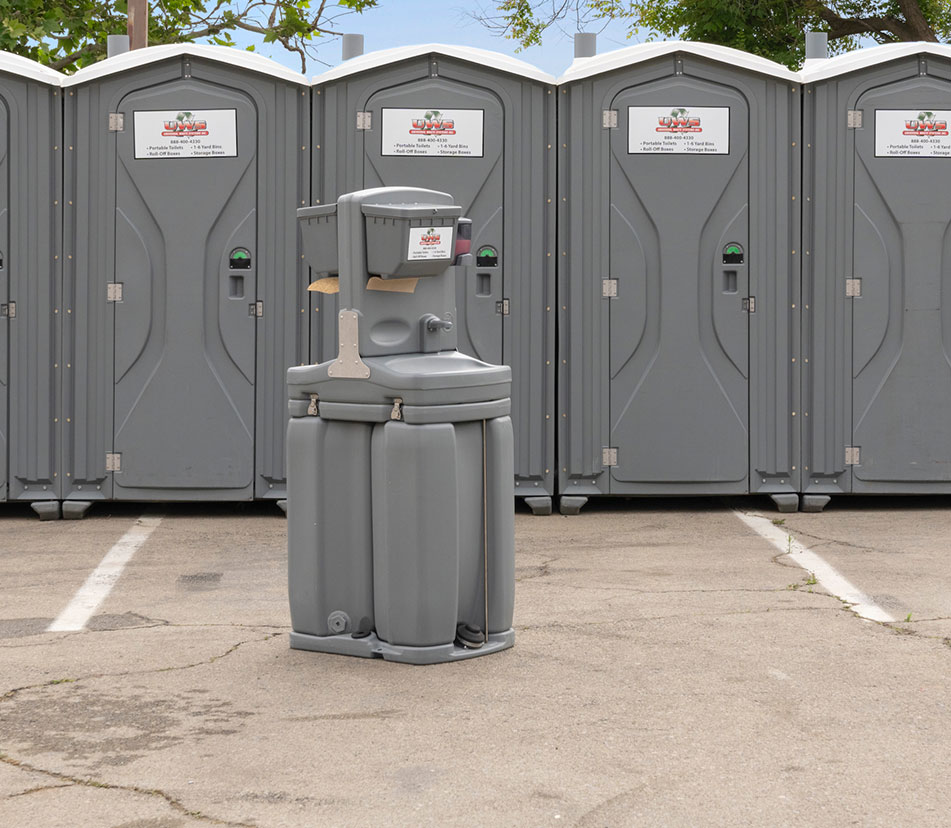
(30, 281)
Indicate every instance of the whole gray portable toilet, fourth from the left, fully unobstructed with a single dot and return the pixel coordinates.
(679, 274)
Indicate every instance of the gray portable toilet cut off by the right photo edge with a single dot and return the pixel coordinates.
(877, 273)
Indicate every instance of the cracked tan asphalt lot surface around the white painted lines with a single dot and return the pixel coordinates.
(670, 668)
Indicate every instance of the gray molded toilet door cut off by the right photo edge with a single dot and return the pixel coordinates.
(901, 393)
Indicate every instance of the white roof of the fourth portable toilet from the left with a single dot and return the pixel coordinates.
(628, 56)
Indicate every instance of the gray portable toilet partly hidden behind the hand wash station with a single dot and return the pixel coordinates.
(480, 125)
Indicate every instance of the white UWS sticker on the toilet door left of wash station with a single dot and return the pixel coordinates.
(182, 133)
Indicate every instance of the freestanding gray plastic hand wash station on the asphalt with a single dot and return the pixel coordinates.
(400, 449)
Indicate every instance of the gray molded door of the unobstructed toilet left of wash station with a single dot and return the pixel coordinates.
(185, 342)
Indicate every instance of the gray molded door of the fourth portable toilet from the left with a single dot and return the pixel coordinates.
(679, 336)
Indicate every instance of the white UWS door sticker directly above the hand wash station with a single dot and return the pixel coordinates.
(434, 132)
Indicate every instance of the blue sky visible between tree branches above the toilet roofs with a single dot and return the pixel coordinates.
(404, 22)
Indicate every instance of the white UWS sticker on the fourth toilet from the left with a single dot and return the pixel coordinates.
(695, 130)
